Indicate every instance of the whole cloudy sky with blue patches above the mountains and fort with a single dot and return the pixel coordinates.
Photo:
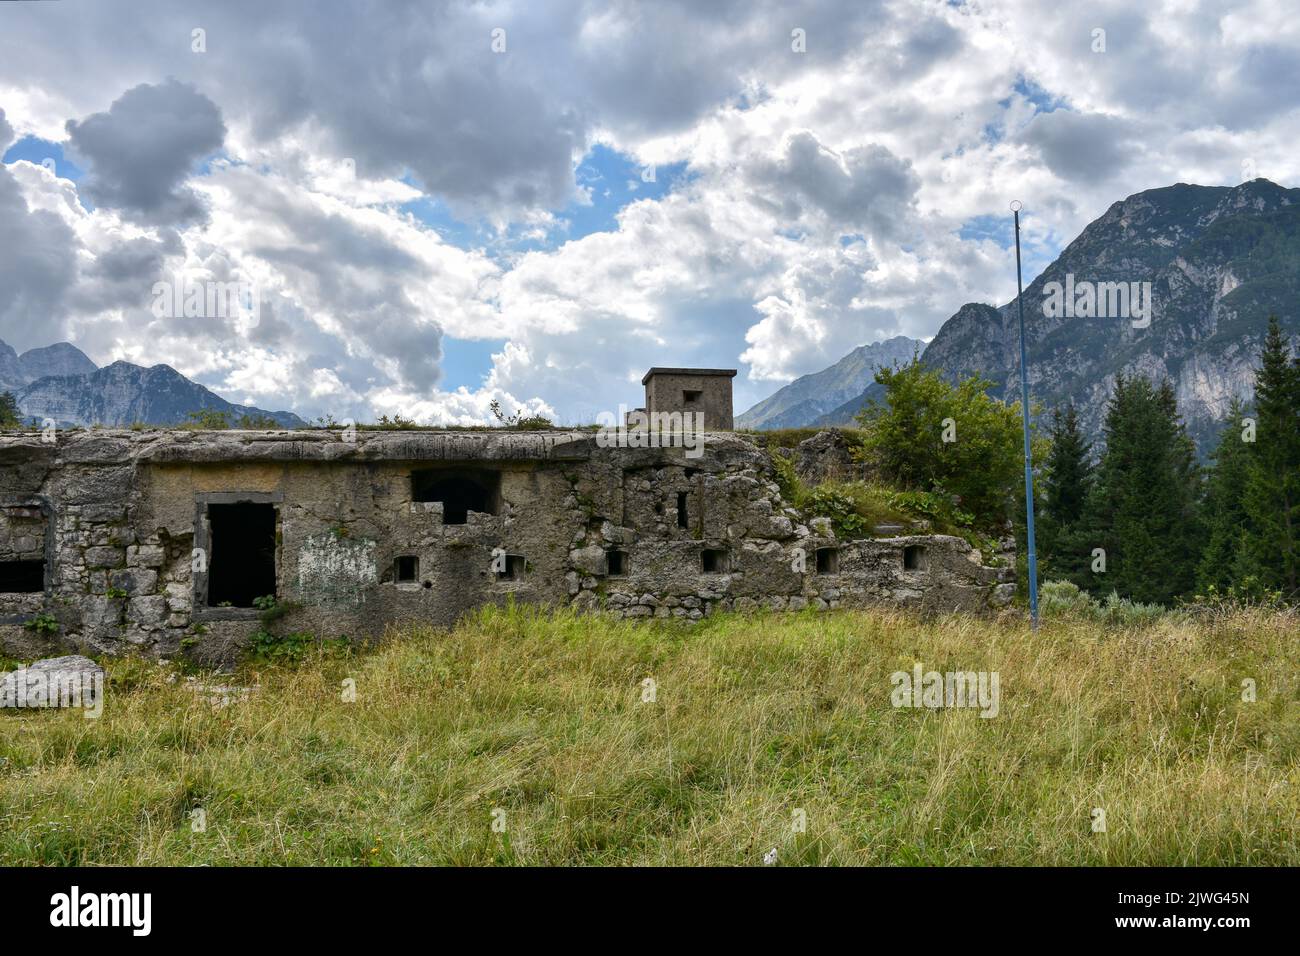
(445, 204)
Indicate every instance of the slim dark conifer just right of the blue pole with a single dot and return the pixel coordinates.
(1067, 486)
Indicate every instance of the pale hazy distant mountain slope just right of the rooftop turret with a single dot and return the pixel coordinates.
(813, 396)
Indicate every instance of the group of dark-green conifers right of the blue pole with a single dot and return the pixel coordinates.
(1145, 520)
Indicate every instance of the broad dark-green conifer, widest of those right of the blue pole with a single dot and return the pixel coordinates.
(1143, 512)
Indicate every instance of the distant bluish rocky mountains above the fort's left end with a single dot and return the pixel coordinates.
(63, 384)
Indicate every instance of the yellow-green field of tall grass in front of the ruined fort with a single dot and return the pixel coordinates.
(538, 721)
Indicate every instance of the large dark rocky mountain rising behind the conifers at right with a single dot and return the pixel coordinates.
(1219, 262)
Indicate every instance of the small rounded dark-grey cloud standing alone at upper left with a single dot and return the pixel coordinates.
(144, 149)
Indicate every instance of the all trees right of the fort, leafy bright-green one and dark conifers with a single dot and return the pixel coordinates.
(1139, 516)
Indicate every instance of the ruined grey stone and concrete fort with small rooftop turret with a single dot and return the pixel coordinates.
(166, 542)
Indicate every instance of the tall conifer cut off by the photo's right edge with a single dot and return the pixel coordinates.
(1273, 485)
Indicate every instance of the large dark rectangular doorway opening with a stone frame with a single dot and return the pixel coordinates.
(241, 553)
